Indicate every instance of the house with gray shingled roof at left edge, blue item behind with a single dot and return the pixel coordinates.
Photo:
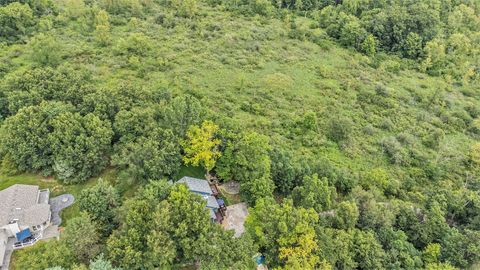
(24, 215)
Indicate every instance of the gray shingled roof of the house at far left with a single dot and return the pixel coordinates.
(20, 202)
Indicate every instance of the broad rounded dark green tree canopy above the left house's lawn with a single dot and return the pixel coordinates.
(50, 138)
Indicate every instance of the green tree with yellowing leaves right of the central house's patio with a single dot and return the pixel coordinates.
(285, 233)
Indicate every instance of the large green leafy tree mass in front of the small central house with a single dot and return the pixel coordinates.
(158, 232)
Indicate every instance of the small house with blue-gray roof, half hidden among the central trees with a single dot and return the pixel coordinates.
(209, 194)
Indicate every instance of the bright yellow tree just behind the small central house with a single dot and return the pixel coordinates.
(201, 145)
